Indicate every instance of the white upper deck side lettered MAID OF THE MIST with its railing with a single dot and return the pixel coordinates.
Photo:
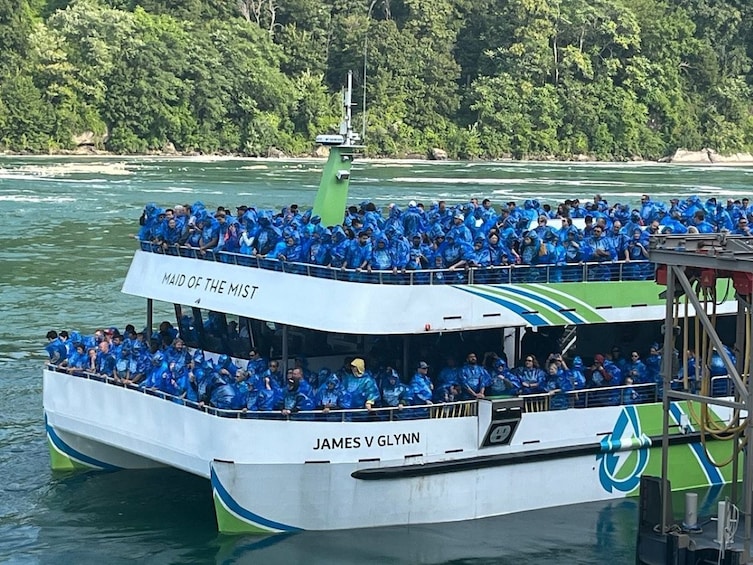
(383, 302)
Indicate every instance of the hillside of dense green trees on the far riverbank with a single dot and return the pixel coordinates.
(612, 79)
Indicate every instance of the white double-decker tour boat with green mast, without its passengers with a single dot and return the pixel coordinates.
(353, 469)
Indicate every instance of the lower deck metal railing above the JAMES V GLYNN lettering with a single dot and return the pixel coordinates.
(543, 402)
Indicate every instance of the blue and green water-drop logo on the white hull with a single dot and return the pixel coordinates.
(624, 453)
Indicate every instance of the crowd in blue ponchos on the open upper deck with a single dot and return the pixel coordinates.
(470, 235)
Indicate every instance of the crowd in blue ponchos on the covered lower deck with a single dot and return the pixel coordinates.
(162, 362)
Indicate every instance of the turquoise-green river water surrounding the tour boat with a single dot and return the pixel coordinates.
(66, 228)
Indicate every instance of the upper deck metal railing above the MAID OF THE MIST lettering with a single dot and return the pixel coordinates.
(543, 273)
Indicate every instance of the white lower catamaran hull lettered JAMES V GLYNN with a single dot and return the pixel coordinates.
(280, 476)
